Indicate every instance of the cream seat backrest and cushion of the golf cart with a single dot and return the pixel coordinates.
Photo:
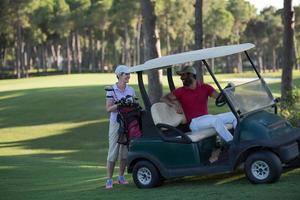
(165, 114)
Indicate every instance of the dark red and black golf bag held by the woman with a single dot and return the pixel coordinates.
(130, 123)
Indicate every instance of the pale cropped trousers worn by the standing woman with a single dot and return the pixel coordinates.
(115, 149)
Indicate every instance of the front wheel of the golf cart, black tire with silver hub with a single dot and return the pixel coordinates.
(263, 167)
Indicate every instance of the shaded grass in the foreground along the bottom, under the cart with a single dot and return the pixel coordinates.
(38, 178)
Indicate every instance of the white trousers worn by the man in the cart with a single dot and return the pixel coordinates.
(215, 121)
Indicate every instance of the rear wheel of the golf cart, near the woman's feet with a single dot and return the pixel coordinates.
(146, 175)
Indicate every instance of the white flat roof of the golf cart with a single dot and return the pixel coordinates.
(191, 56)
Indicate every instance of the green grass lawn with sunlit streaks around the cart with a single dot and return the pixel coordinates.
(53, 145)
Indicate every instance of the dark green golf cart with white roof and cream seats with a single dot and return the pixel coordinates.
(262, 140)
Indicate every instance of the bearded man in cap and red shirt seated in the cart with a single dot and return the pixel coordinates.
(193, 98)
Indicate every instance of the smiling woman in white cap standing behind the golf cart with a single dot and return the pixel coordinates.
(121, 89)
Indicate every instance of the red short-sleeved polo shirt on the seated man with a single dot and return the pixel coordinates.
(194, 101)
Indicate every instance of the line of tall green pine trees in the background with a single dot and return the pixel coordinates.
(74, 36)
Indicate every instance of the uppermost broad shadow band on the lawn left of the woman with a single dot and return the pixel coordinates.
(52, 105)
